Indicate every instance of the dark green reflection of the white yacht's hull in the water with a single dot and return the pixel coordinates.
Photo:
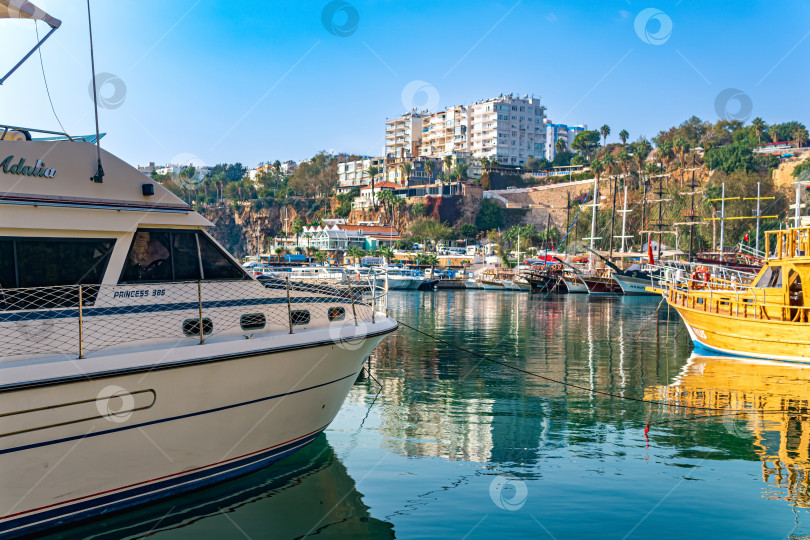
(307, 494)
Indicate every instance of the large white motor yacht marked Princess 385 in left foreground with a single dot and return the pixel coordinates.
(139, 359)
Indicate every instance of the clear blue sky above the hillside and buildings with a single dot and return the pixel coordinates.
(268, 80)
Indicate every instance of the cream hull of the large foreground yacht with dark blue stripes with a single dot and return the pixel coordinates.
(74, 449)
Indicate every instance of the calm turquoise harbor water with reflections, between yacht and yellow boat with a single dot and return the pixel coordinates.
(455, 447)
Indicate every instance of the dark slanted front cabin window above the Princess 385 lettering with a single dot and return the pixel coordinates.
(165, 255)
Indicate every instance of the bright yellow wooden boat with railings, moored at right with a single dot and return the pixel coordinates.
(766, 318)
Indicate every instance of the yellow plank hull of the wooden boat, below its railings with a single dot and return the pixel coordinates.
(751, 338)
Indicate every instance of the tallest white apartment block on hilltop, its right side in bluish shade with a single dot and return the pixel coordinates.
(508, 129)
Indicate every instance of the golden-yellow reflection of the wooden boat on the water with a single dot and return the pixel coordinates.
(765, 403)
